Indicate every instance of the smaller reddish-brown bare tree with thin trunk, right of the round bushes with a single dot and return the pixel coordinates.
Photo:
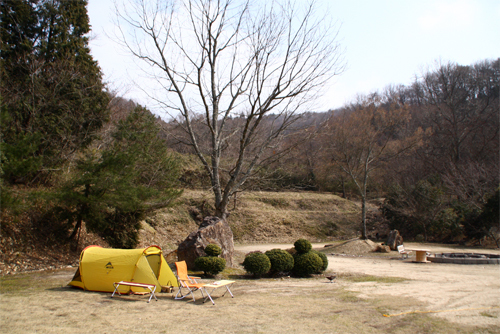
(366, 138)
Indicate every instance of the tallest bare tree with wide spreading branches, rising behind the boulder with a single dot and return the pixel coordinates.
(213, 60)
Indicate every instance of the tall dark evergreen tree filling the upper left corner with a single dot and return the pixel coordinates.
(51, 88)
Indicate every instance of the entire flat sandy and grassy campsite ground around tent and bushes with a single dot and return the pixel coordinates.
(42, 303)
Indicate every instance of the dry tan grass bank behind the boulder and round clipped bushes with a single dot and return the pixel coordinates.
(263, 217)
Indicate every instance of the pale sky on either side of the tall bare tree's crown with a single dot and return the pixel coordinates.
(385, 42)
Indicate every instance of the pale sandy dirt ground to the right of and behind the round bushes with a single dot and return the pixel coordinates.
(471, 291)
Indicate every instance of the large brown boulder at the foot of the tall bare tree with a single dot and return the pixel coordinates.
(212, 230)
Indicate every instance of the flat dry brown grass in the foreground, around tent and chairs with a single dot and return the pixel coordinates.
(41, 303)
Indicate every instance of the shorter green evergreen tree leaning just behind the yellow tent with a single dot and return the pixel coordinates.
(115, 188)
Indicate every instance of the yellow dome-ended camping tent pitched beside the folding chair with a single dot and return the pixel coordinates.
(101, 267)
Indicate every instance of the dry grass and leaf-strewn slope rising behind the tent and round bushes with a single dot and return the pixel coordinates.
(256, 217)
